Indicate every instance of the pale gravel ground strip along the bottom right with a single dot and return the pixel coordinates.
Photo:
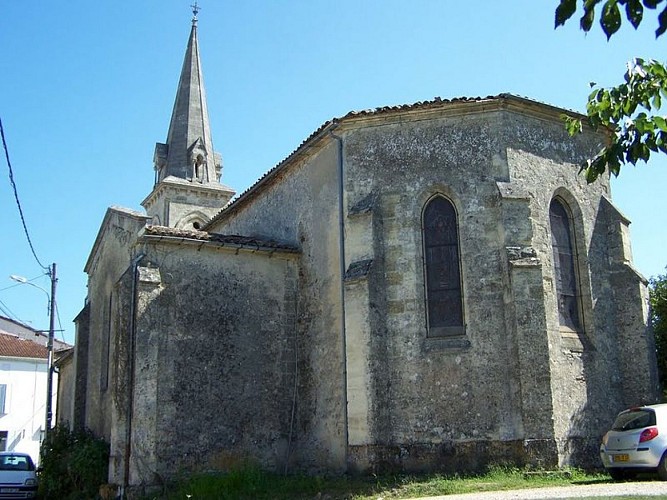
(656, 489)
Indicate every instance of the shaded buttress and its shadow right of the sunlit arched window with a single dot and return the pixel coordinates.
(618, 364)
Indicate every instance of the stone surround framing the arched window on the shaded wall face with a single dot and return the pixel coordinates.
(451, 332)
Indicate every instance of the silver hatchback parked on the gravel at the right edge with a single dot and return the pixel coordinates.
(637, 442)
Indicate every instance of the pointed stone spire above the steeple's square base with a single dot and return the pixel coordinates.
(188, 153)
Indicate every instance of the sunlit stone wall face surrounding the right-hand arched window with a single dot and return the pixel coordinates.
(545, 167)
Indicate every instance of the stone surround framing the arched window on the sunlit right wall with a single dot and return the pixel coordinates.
(584, 300)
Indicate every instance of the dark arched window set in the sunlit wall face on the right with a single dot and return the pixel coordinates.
(565, 272)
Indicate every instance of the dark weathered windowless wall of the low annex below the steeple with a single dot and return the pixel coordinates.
(214, 348)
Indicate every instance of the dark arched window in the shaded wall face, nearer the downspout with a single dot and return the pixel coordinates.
(444, 300)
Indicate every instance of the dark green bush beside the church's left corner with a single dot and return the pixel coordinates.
(73, 465)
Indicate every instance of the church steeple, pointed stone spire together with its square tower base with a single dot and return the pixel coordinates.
(187, 169)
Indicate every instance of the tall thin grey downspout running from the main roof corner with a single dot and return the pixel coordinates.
(341, 250)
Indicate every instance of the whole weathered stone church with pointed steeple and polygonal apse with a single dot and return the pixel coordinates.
(424, 287)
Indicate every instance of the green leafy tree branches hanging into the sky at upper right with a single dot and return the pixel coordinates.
(629, 111)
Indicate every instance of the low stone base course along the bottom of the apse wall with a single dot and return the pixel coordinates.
(452, 457)
